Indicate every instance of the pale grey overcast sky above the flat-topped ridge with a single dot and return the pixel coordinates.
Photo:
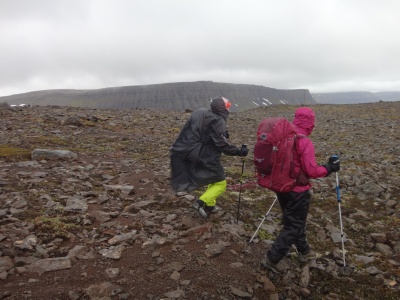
(320, 45)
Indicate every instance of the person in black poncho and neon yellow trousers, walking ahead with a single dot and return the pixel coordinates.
(196, 155)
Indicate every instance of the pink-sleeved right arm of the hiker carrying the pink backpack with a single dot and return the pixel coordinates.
(308, 161)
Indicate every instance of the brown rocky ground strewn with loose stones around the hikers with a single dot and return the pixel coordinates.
(98, 220)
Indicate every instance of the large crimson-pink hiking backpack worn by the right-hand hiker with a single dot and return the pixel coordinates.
(273, 154)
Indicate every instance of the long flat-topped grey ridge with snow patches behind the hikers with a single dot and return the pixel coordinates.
(168, 96)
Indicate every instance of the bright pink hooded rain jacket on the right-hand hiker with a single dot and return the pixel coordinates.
(304, 121)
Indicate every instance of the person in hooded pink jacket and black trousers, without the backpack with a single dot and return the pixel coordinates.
(295, 204)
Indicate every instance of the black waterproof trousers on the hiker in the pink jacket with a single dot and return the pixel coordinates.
(295, 208)
